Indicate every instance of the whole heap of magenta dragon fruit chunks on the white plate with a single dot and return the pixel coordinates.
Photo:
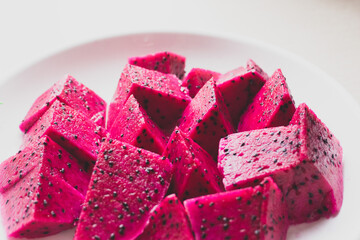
(201, 155)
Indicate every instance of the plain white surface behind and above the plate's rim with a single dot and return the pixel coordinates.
(324, 32)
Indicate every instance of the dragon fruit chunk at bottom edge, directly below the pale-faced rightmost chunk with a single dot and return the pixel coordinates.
(251, 213)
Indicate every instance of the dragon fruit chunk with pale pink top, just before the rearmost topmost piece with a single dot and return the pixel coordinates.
(159, 94)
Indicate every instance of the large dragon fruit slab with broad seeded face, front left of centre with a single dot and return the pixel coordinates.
(127, 182)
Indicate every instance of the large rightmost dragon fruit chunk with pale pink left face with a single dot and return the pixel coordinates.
(304, 159)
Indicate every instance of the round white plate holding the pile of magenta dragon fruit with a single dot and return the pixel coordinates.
(99, 64)
